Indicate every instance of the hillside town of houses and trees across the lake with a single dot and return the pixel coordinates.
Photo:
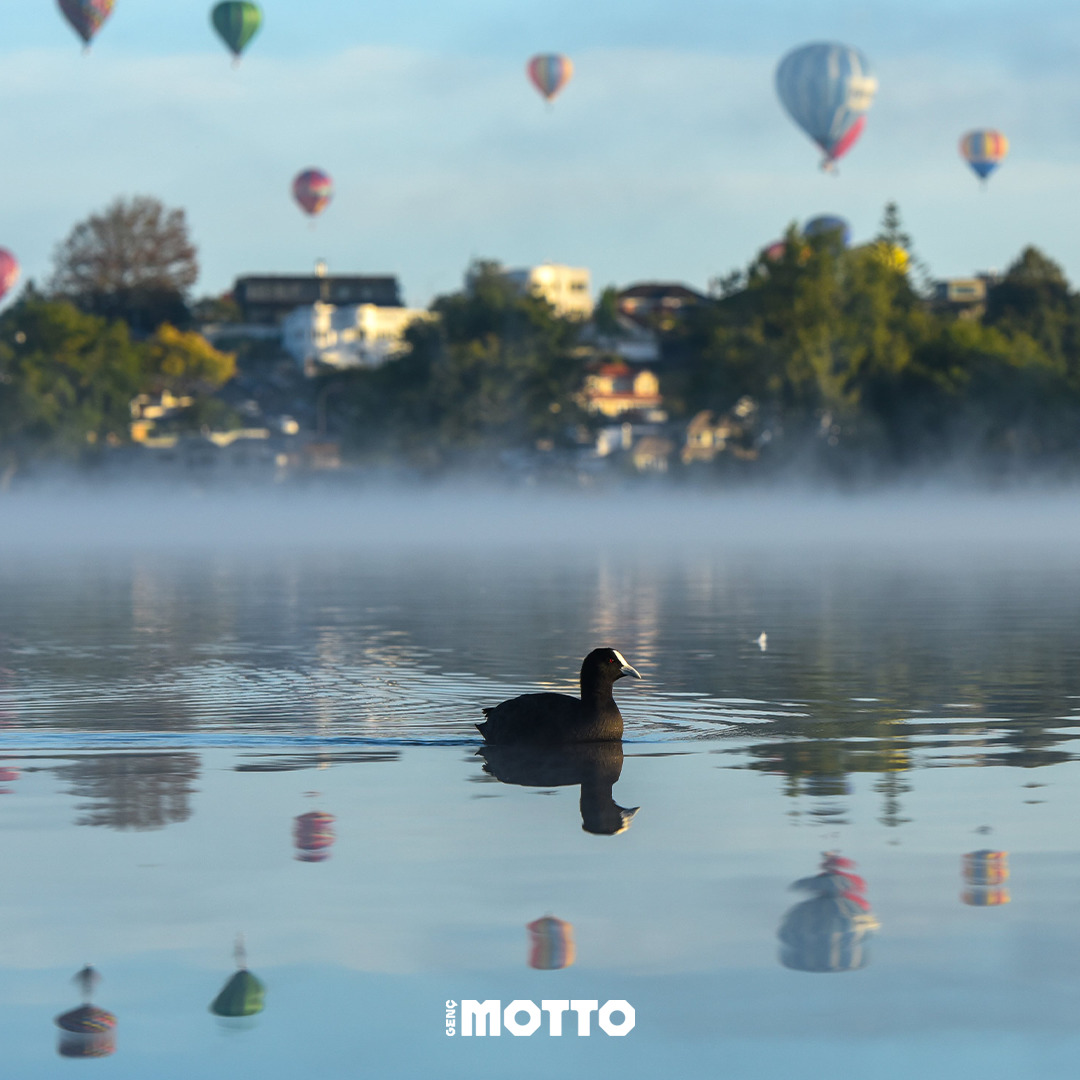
(821, 356)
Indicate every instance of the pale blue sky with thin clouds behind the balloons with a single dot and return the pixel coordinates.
(668, 157)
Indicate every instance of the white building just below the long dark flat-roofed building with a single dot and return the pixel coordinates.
(359, 335)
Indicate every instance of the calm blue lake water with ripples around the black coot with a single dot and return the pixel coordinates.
(224, 721)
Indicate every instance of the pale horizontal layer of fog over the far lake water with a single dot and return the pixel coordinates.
(455, 518)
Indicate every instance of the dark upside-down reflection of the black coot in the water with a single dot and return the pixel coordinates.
(597, 767)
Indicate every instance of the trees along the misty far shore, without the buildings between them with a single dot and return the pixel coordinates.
(846, 358)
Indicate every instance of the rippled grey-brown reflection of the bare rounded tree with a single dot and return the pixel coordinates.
(133, 791)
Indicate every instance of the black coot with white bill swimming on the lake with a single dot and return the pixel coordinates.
(556, 719)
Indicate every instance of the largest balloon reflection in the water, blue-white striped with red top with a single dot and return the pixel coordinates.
(832, 929)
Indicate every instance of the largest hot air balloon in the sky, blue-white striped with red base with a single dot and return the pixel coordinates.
(827, 90)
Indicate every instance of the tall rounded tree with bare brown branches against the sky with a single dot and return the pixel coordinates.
(133, 261)
